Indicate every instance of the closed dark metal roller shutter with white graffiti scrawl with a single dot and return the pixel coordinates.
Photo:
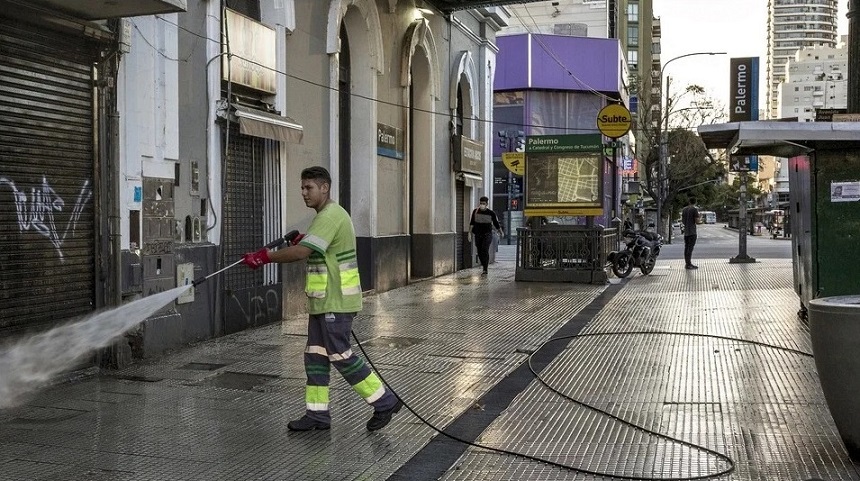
(47, 184)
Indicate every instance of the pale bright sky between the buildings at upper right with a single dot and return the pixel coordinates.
(737, 27)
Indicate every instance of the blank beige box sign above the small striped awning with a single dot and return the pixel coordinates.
(252, 46)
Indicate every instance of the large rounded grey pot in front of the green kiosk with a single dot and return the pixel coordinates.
(834, 326)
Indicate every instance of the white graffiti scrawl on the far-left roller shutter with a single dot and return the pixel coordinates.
(37, 210)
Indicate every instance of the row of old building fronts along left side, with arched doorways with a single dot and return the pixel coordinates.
(170, 144)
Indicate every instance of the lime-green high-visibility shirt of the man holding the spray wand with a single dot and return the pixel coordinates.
(332, 282)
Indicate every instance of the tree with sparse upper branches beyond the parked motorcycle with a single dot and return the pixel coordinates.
(688, 163)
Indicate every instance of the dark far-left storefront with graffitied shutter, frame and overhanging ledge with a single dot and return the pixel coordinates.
(59, 229)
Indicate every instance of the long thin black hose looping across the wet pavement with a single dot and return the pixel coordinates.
(716, 454)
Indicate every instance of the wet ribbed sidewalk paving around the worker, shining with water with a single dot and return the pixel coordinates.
(680, 374)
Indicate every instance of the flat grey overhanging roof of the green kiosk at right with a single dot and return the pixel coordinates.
(781, 139)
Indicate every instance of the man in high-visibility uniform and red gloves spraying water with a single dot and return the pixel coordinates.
(334, 298)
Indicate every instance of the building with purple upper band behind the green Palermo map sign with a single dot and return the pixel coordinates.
(556, 85)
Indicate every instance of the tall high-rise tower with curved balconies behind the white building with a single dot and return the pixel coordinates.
(792, 25)
